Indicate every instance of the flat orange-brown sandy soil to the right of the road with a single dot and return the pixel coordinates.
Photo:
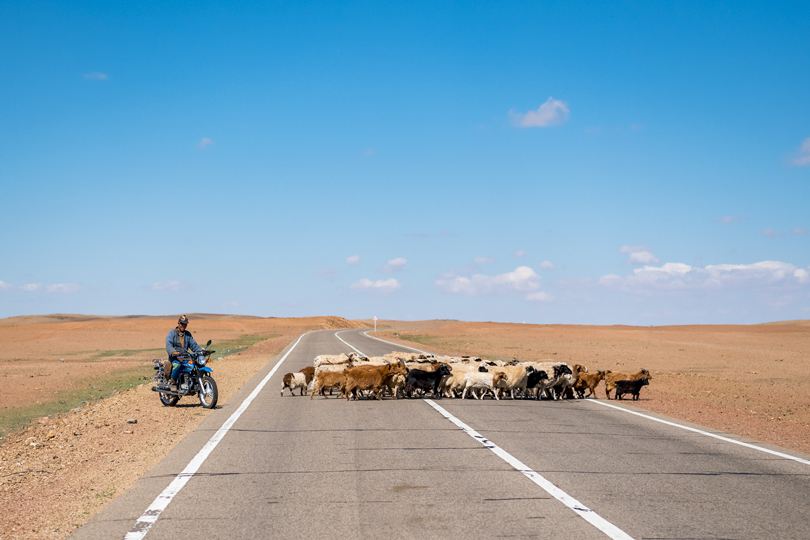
(746, 380)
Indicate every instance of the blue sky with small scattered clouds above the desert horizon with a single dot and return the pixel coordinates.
(612, 163)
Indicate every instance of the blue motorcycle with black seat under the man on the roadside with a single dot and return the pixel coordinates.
(194, 378)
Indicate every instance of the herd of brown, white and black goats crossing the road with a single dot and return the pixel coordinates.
(408, 375)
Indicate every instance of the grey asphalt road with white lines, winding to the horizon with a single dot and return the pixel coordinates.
(298, 468)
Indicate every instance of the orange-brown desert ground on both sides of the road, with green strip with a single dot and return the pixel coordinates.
(84, 445)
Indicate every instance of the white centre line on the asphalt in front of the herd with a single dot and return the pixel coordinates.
(583, 511)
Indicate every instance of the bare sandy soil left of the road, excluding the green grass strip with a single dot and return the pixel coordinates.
(60, 471)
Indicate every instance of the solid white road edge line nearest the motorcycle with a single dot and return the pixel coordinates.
(157, 507)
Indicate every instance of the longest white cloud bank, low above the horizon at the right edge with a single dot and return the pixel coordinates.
(679, 276)
